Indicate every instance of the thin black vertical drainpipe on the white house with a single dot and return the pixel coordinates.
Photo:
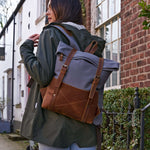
(12, 106)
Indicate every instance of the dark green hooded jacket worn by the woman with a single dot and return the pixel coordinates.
(42, 125)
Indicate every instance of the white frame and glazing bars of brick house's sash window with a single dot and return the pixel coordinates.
(103, 24)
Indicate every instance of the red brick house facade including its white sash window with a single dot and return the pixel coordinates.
(118, 23)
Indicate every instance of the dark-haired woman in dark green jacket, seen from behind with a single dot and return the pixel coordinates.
(51, 130)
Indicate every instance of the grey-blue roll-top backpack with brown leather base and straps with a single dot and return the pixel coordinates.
(74, 89)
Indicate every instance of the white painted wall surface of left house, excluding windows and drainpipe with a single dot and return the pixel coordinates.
(28, 7)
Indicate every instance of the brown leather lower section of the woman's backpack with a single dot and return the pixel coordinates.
(70, 102)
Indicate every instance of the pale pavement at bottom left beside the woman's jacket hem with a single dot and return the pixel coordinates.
(8, 144)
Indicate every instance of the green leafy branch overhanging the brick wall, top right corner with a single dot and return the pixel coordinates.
(145, 12)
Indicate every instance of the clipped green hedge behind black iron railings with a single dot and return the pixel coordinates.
(119, 104)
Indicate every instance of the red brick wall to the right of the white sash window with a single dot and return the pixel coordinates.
(135, 47)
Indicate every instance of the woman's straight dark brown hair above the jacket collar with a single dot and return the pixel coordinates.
(67, 10)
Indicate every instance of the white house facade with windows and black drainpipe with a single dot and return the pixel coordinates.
(29, 18)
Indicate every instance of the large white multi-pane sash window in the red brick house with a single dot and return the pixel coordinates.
(109, 26)
